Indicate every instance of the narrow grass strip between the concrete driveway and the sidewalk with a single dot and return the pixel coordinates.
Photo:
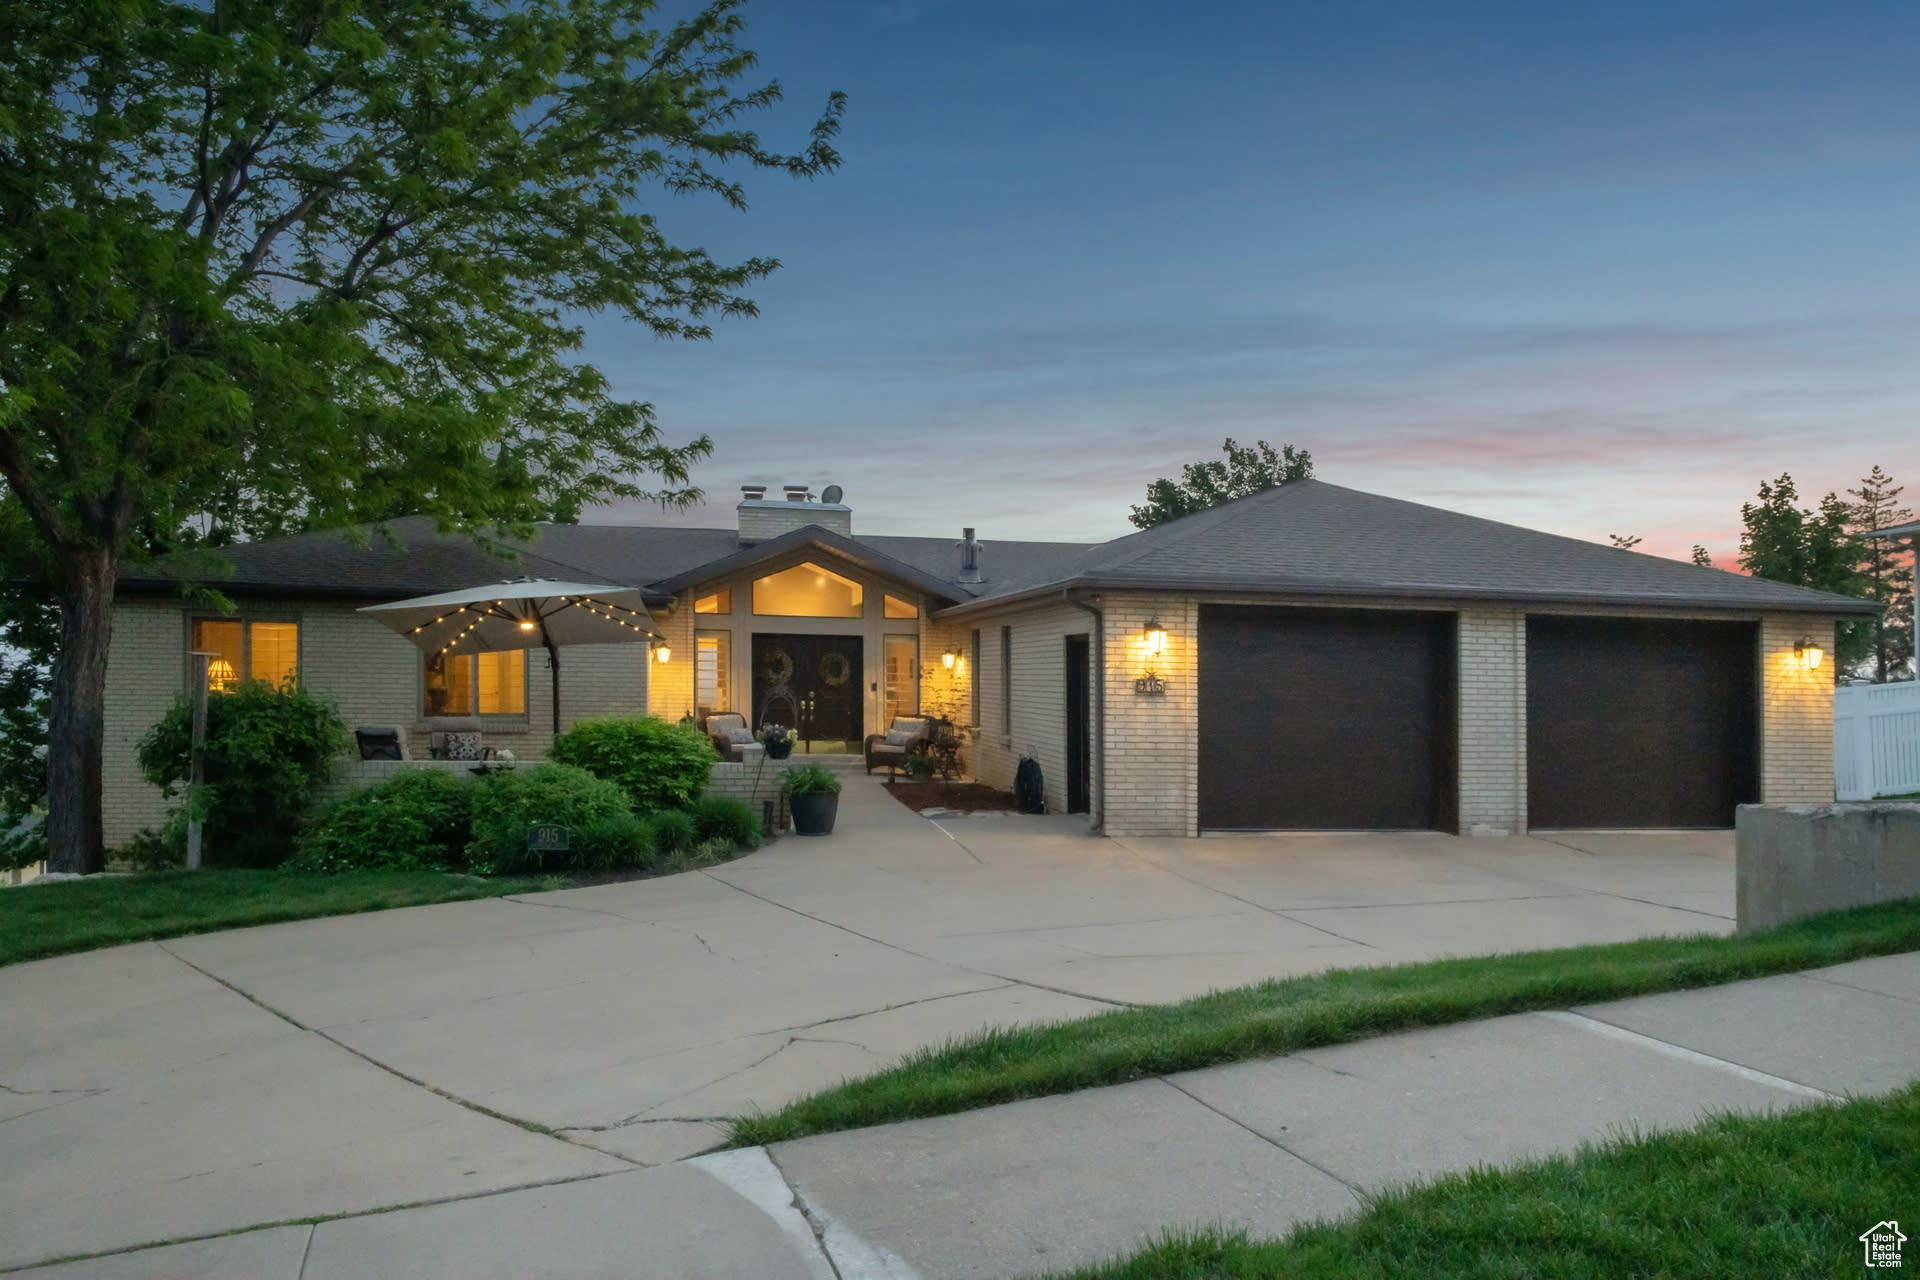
(1328, 1008)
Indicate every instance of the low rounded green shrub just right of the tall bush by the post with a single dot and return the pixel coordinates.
(414, 822)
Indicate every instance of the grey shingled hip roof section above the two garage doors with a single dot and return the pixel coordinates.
(1322, 540)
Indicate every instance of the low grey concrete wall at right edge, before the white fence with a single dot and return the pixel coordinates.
(1794, 861)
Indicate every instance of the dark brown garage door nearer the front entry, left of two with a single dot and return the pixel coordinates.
(1326, 721)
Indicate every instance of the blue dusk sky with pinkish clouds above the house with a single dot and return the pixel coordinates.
(1581, 268)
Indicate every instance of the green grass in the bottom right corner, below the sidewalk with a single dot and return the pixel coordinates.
(1739, 1197)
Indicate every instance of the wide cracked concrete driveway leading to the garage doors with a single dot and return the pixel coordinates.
(333, 1068)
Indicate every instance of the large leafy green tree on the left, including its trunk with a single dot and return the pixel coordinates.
(327, 258)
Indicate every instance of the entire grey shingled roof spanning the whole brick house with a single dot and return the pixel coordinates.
(1307, 538)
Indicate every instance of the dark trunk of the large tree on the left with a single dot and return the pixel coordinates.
(78, 723)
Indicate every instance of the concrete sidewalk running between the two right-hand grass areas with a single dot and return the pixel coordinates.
(1065, 1181)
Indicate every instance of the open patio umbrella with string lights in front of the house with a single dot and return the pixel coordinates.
(521, 613)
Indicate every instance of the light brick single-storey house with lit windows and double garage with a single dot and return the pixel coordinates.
(1310, 657)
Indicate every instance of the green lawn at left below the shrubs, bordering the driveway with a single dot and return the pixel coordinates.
(76, 916)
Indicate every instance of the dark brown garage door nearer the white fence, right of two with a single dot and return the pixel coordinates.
(1641, 723)
